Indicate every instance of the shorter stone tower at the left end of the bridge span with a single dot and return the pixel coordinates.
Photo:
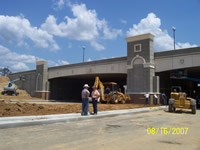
(42, 84)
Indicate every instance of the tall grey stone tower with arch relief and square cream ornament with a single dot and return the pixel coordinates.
(141, 77)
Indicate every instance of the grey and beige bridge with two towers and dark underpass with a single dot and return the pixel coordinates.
(142, 70)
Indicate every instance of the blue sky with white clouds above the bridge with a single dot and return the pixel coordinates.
(56, 30)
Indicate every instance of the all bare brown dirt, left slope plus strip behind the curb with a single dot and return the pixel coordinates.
(24, 105)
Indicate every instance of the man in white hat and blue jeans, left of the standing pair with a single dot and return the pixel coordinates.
(85, 101)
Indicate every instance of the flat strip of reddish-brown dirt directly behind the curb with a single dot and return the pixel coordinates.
(26, 109)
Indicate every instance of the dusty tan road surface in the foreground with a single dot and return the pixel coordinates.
(174, 131)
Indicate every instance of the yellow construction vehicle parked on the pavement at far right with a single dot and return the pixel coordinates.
(178, 99)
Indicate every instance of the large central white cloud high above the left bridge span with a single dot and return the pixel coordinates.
(84, 26)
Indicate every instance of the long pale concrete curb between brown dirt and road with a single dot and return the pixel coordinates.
(13, 122)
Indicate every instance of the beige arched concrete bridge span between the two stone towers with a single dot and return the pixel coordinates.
(107, 66)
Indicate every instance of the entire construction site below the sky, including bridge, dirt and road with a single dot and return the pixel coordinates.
(139, 96)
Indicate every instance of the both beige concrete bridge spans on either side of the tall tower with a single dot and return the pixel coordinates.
(164, 61)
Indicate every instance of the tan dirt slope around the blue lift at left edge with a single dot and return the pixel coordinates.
(23, 95)
